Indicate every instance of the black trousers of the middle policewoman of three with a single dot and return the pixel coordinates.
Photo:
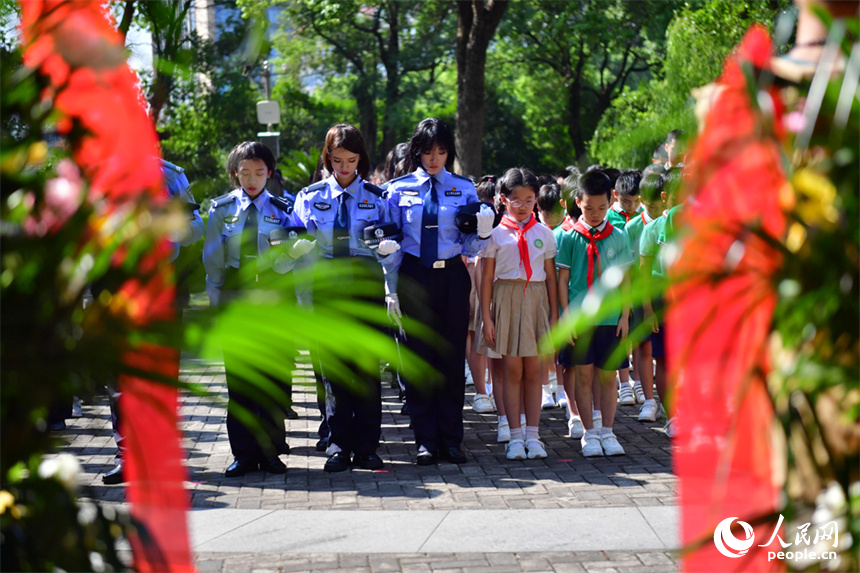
(355, 418)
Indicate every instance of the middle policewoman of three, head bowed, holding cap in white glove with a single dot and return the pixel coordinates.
(336, 211)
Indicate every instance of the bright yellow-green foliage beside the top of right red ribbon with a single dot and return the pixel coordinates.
(697, 42)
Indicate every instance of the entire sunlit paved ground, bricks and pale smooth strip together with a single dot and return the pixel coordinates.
(563, 513)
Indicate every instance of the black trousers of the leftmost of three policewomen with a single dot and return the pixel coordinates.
(268, 412)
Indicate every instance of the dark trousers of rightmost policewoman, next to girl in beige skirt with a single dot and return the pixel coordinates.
(439, 299)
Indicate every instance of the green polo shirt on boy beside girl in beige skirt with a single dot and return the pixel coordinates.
(573, 255)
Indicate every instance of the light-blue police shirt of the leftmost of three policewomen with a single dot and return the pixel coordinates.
(223, 243)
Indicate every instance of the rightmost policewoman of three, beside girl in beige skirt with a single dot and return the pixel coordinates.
(435, 284)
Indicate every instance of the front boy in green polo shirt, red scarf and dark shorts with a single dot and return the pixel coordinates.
(587, 252)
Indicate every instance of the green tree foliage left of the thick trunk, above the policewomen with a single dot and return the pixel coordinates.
(377, 46)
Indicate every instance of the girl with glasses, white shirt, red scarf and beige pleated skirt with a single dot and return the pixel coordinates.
(519, 278)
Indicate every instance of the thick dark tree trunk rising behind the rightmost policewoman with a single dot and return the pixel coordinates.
(476, 24)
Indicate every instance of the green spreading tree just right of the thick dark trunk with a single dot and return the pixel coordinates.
(593, 49)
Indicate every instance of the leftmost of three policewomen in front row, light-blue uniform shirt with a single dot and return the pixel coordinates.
(237, 257)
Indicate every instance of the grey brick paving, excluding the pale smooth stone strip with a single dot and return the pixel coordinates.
(565, 480)
